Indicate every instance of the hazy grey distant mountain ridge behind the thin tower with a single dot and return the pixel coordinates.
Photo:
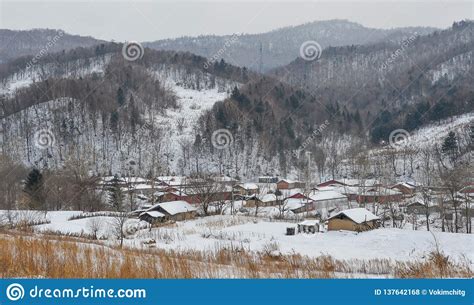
(281, 46)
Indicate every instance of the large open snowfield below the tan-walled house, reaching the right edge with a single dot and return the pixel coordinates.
(254, 235)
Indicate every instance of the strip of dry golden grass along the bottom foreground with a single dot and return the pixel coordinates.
(50, 256)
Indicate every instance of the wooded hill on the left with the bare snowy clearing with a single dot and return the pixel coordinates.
(71, 110)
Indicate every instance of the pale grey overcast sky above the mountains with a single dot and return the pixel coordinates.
(147, 20)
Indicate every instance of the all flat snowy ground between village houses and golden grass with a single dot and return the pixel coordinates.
(254, 234)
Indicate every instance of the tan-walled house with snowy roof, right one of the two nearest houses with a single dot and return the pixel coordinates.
(358, 219)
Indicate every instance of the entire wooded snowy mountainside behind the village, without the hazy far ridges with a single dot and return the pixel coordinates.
(173, 112)
